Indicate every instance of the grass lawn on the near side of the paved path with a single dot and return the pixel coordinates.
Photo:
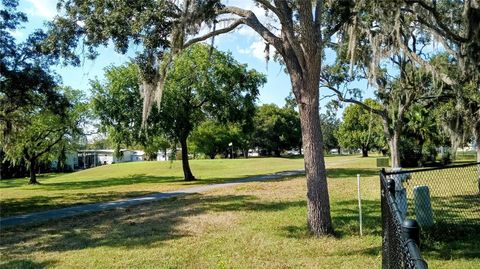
(254, 225)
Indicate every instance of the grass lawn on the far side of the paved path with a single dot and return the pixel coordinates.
(117, 181)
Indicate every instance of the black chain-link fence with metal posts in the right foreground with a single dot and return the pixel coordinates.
(430, 199)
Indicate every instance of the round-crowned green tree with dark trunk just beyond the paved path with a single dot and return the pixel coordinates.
(204, 84)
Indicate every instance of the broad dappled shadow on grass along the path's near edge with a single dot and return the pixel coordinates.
(129, 227)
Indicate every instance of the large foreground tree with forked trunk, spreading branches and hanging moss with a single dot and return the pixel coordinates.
(304, 30)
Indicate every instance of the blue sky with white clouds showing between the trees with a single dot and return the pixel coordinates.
(244, 44)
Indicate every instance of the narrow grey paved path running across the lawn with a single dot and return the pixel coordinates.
(90, 208)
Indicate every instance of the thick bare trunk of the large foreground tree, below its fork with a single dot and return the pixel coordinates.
(318, 204)
